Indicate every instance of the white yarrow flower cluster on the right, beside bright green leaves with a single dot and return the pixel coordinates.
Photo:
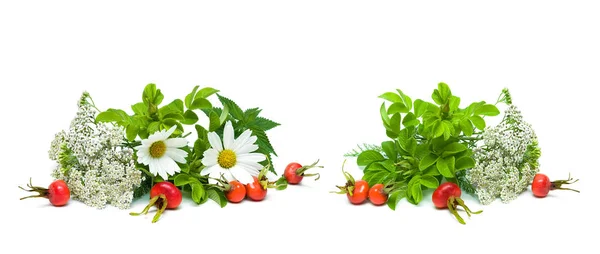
(507, 161)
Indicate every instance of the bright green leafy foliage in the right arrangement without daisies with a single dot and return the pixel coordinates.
(429, 142)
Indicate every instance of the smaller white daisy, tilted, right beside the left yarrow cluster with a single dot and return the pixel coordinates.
(161, 152)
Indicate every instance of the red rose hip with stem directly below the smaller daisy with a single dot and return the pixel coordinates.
(163, 195)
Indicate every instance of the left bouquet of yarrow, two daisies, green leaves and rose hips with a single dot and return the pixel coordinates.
(112, 157)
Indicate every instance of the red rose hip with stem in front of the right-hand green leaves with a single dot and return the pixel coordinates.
(447, 195)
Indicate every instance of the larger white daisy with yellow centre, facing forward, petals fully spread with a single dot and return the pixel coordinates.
(233, 158)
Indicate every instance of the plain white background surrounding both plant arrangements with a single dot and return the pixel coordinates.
(316, 67)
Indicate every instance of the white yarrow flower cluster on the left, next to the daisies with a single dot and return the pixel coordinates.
(92, 162)
